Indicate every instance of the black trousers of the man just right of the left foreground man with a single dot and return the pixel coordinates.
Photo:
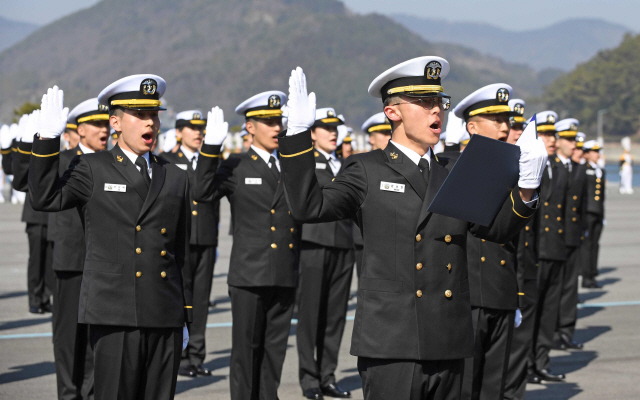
(202, 260)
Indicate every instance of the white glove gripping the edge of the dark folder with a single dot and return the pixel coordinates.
(533, 158)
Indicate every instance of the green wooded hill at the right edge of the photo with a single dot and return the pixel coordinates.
(611, 81)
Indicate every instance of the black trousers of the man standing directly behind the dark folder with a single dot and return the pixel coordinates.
(485, 373)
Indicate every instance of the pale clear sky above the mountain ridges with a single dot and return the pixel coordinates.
(514, 15)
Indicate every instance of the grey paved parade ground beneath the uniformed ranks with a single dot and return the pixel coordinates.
(606, 369)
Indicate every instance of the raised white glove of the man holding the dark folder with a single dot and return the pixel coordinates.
(302, 107)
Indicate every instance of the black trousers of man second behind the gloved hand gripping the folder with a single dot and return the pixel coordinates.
(568, 312)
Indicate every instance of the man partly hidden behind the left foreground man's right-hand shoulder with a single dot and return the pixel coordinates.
(204, 240)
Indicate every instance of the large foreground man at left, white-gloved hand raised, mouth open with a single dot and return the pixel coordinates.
(134, 208)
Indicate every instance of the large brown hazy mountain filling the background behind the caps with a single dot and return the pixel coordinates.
(221, 52)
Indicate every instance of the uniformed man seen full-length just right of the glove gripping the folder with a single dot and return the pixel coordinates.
(552, 251)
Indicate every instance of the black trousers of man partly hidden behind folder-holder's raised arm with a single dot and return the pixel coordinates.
(325, 280)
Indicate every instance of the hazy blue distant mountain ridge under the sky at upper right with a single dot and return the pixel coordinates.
(560, 46)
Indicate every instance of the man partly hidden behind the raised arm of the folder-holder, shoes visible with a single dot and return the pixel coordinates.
(326, 268)
